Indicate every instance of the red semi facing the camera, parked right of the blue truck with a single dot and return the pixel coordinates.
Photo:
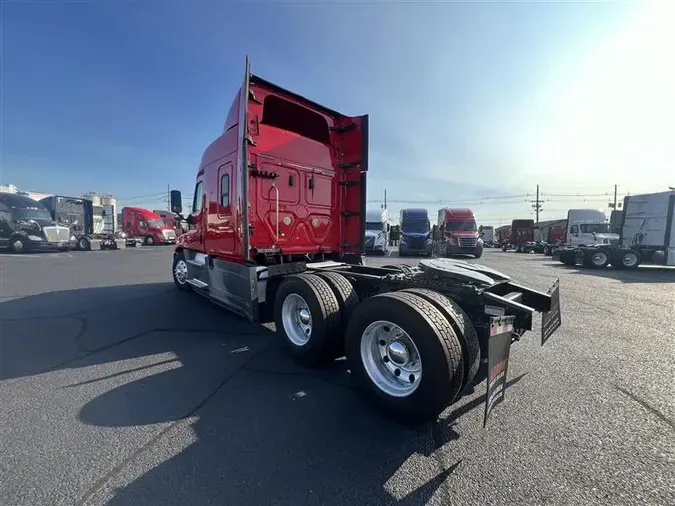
(457, 234)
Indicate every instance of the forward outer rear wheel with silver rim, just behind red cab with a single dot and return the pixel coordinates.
(307, 315)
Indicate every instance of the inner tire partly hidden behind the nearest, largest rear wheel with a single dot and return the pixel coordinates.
(461, 324)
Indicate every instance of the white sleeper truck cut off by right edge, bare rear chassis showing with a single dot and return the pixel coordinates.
(647, 235)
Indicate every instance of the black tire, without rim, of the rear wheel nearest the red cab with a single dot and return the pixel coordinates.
(325, 337)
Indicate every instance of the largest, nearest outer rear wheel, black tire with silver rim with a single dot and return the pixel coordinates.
(404, 356)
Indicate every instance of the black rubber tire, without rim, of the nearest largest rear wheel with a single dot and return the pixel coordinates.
(439, 350)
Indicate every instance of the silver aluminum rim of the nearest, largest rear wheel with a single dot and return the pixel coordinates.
(391, 358)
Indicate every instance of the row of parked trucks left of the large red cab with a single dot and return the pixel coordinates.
(62, 223)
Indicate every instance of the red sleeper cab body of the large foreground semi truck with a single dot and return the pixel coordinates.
(290, 171)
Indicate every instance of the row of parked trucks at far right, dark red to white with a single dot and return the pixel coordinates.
(642, 232)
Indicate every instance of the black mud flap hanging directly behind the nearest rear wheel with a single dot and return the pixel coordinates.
(499, 347)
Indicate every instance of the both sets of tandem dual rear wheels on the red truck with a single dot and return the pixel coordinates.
(411, 353)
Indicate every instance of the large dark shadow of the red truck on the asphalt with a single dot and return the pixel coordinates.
(262, 429)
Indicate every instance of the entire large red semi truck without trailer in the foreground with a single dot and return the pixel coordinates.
(277, 233)
